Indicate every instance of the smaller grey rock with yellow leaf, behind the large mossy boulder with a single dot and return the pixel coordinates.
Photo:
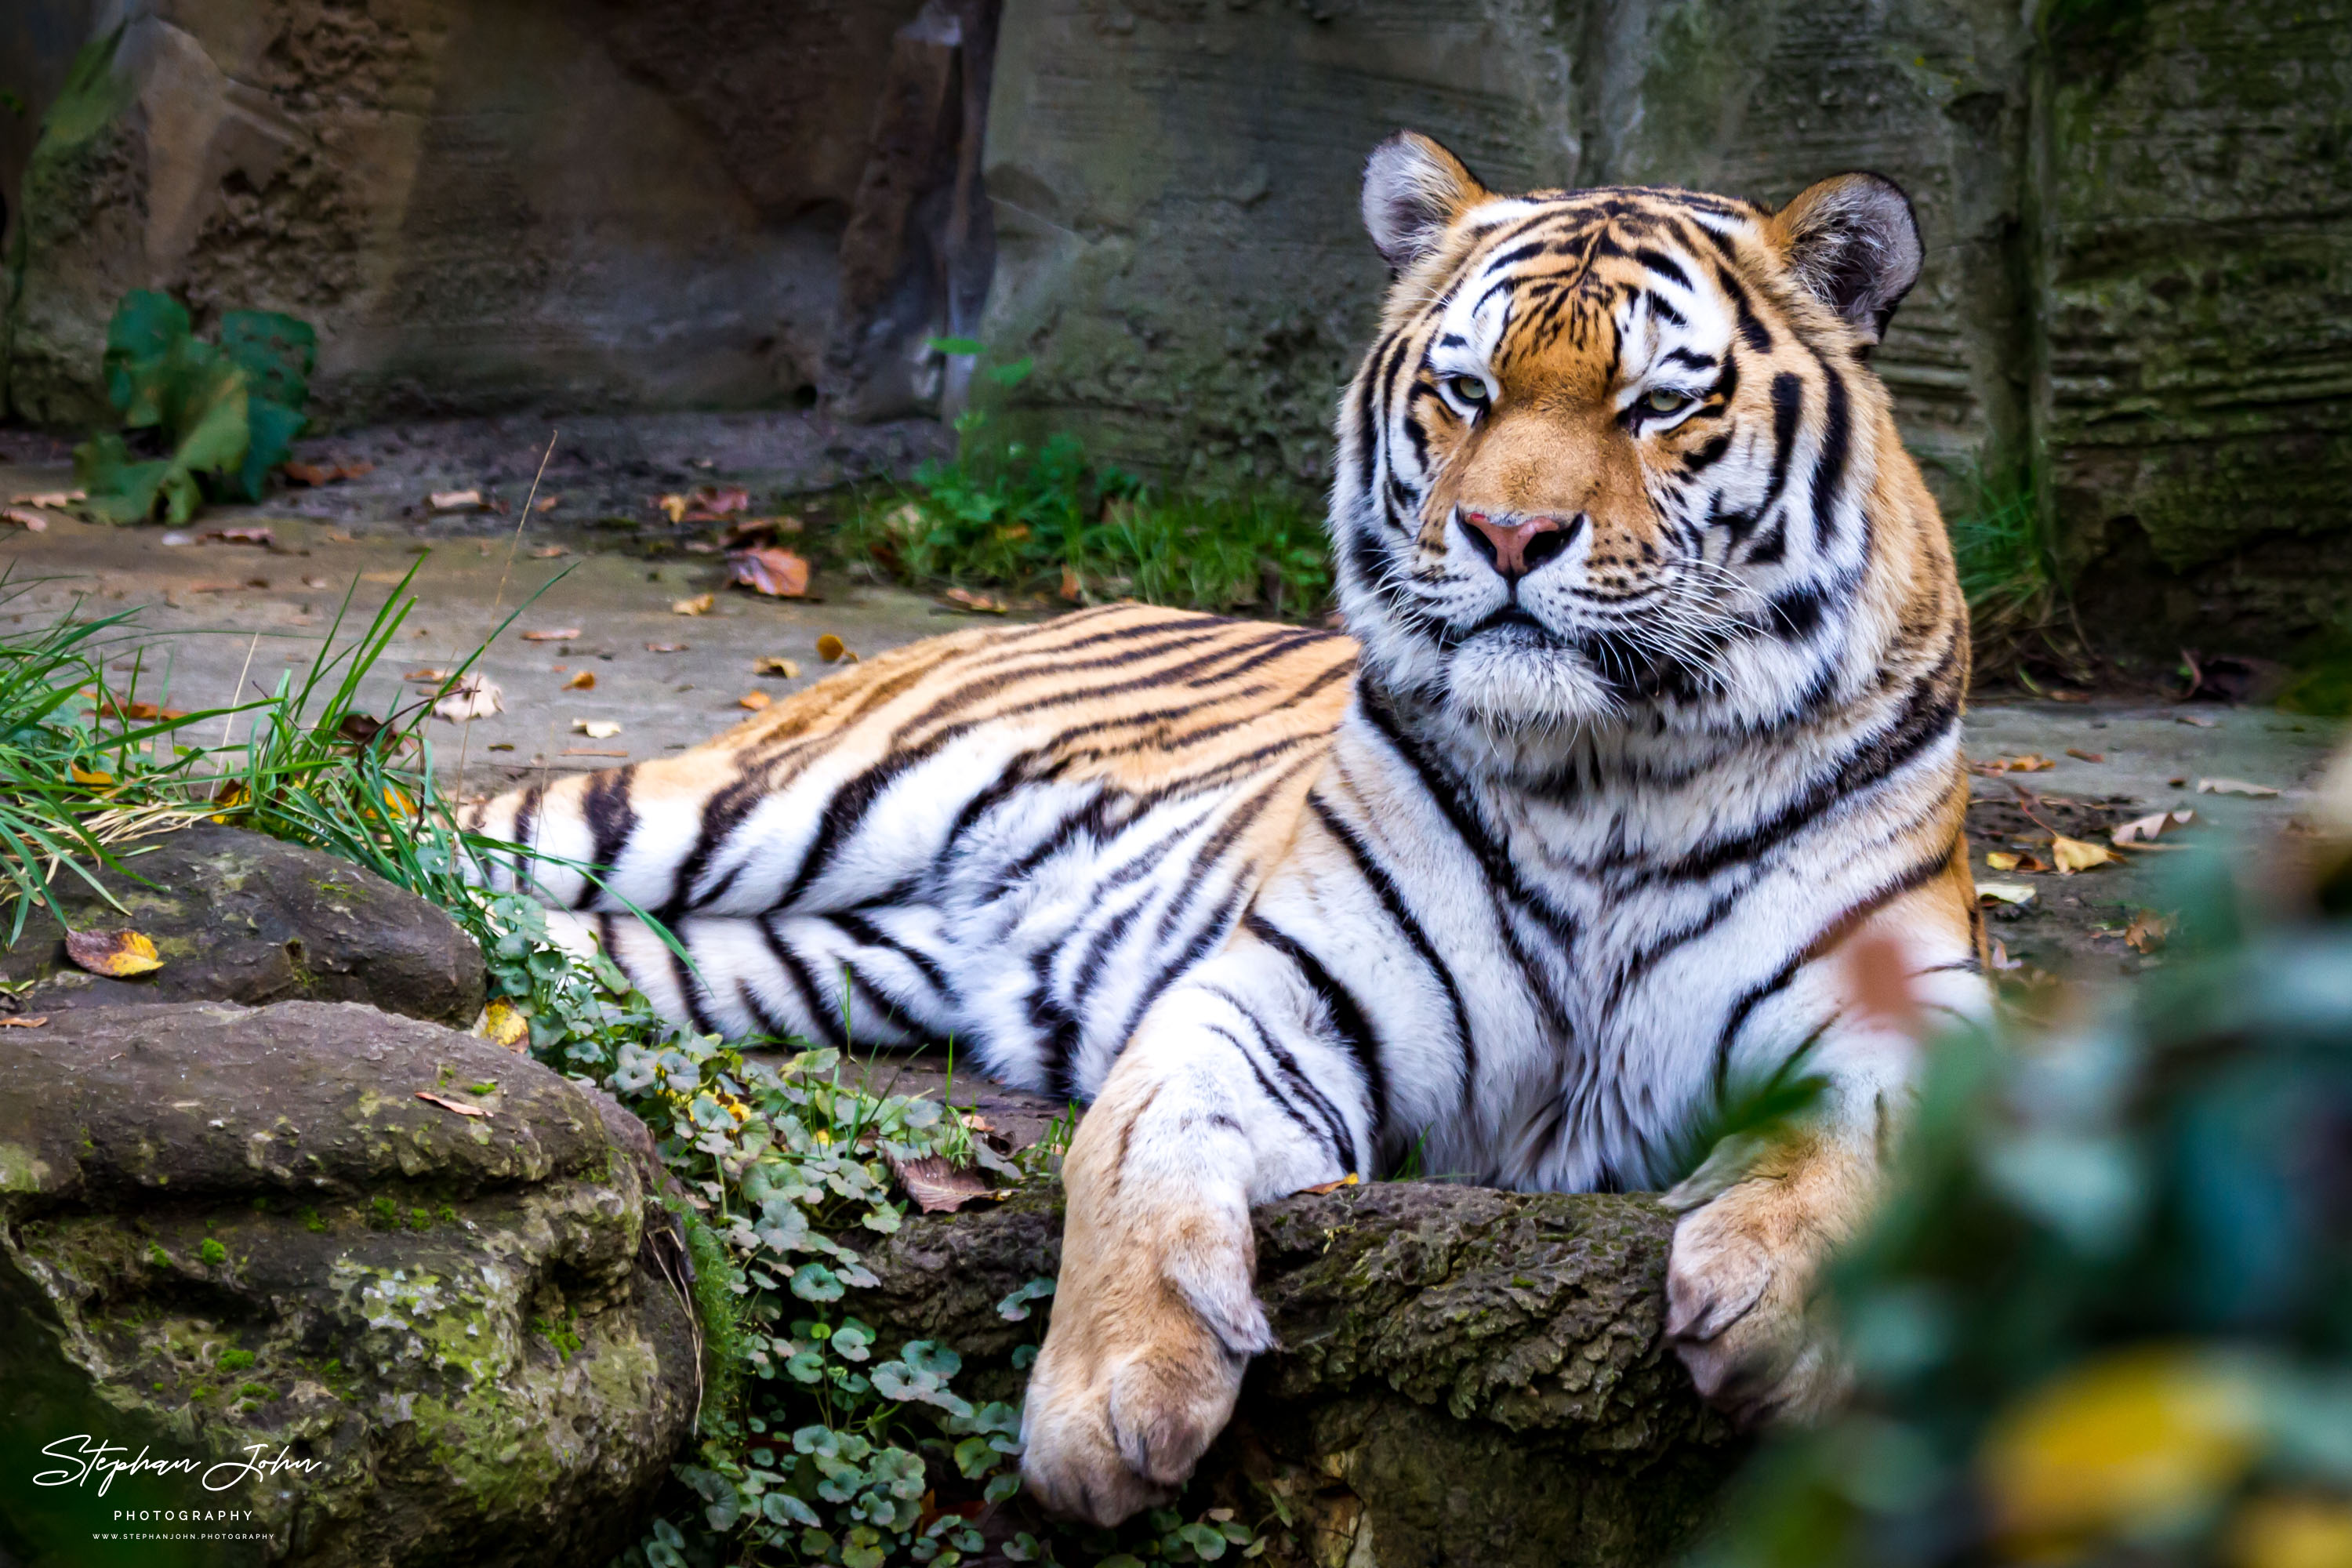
(243, 918)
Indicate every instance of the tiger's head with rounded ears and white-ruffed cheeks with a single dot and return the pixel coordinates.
(1619, 455)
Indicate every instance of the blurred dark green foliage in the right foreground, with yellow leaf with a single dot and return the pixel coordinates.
(2106, 1315)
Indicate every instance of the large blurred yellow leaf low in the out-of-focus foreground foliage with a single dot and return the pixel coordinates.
(2134, 1438)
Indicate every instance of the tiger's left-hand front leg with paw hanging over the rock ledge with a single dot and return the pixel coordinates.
(1222, 1101)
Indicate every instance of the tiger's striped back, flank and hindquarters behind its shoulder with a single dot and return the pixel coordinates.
(1036, 786)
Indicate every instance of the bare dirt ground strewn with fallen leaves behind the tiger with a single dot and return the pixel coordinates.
(606, 570)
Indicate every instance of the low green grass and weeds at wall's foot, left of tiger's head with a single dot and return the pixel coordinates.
(1053, 523)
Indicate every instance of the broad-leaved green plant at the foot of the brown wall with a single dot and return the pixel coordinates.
(225, 413)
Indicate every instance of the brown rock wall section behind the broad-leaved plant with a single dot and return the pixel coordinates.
(568, 203)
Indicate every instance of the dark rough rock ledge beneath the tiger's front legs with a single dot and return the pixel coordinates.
(1466, 1376)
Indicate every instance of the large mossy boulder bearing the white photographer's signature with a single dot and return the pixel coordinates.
(236, 1231)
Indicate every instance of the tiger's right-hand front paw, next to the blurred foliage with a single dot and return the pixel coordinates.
(1737, 1294)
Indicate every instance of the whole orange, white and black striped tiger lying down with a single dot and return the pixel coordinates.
(1633, 782)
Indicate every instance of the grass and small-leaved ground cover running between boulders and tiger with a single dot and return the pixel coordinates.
(817, 1445)
